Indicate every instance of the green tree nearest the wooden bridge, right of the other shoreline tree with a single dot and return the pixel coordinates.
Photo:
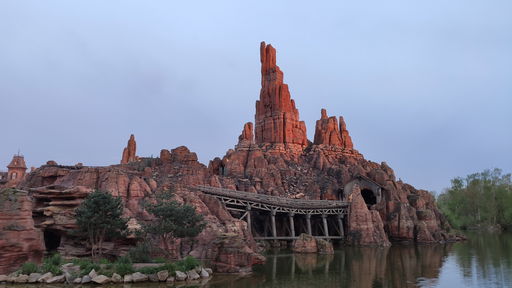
(172, 219)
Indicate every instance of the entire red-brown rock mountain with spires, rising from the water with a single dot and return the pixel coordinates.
(272, 157)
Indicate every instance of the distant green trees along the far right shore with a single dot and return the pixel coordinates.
(479, 200)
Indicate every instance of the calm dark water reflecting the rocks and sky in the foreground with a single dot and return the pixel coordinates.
(485, 260)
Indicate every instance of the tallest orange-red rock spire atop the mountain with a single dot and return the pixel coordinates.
(277, 119)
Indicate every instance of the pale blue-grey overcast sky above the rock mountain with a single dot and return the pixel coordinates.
(424, 85)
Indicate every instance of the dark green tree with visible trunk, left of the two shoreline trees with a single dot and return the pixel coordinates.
(99, 217)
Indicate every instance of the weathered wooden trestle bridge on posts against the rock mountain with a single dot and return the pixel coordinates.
(288, 217)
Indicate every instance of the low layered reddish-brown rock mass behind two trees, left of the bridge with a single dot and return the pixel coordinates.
(58, 190)
